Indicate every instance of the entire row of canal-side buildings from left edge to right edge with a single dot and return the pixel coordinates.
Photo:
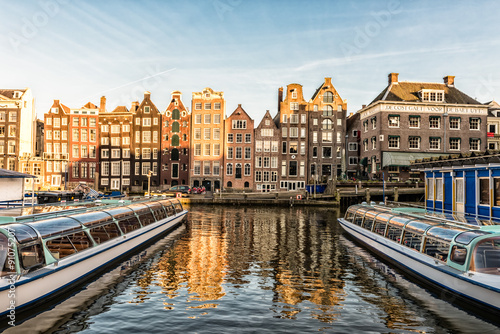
(307, 140)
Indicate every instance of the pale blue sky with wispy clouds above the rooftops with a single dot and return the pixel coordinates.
(77, 51)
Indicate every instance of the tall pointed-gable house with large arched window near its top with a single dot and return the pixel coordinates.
(326, 111)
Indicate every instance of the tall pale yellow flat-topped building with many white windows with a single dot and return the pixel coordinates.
(208, 109)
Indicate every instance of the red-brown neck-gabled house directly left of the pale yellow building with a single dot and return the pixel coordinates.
(175, 145)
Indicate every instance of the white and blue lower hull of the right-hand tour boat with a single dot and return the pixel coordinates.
(474, 288)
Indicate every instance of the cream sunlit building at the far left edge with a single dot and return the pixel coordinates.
(17, 127)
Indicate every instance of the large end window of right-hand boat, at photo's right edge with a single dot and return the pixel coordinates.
(487, 256)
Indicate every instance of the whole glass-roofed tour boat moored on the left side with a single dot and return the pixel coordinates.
(41, 258)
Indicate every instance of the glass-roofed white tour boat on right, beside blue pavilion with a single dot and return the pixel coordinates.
(452, 256)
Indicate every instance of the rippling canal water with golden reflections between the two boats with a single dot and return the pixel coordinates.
(256, 270)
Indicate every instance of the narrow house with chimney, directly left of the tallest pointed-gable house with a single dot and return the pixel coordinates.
(292, 119)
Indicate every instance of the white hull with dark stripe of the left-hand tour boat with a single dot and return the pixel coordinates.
(47, 283)
